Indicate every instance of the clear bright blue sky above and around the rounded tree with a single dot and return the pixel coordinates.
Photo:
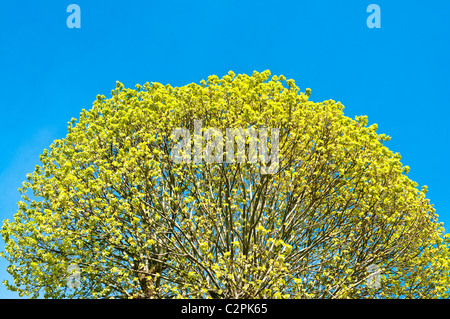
(398, 75)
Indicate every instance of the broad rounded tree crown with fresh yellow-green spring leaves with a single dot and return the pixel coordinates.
(110, 199)
